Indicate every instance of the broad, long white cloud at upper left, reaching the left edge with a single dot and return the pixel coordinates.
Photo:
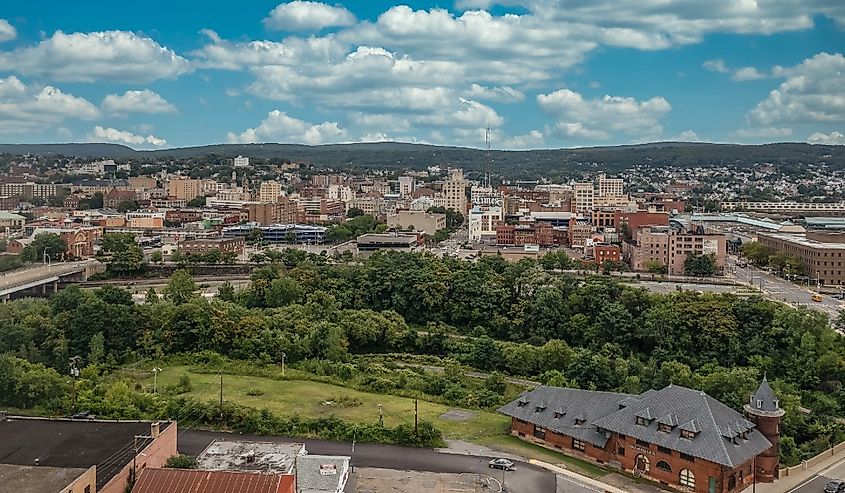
(95, 56)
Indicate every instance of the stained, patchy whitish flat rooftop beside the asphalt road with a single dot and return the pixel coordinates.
(278, 458)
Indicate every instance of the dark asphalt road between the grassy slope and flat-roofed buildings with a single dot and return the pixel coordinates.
(526, 479)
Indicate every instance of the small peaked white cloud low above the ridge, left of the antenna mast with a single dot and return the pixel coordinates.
(279, 127)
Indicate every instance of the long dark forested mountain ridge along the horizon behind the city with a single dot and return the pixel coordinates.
(393, 155)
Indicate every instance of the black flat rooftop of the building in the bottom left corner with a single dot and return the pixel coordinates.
(66, 443)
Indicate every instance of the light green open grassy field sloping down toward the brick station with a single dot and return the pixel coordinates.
(309, 398)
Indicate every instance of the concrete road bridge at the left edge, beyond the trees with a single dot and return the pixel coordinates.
(45, 279)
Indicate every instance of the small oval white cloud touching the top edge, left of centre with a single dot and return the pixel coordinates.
(302, 15)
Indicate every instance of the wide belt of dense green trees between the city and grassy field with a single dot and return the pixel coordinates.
(515, 318)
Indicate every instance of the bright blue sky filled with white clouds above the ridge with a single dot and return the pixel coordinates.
(539, 73)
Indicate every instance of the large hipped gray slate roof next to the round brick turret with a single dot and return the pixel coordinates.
(718, 440)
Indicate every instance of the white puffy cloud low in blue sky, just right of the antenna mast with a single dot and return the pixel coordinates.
(593, 118)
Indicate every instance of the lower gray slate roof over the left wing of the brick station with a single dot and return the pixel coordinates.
(587, 405)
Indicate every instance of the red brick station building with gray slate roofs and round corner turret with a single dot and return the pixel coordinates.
(677, 436)
